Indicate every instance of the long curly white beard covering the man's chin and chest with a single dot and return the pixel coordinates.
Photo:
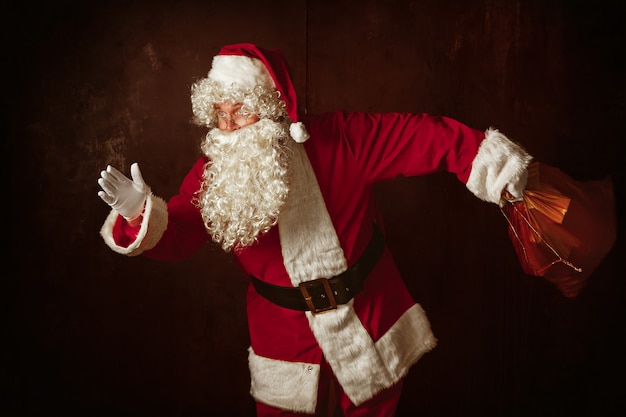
(245, 182)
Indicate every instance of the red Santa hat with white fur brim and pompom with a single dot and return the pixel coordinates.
(247, 65)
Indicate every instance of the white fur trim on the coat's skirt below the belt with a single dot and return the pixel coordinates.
(362, 367)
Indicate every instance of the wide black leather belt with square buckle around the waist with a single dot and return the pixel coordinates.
(325, 294)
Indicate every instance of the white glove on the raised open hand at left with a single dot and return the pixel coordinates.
(125, 196)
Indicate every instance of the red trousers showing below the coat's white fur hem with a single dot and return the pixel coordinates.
(331, 399)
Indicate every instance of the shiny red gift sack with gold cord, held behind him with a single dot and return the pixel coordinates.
(563, 228)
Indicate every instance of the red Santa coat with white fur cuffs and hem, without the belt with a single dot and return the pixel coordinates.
(371, 343)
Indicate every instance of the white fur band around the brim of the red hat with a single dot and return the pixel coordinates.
(242, 71)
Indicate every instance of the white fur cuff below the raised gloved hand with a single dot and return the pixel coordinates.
(152, 228)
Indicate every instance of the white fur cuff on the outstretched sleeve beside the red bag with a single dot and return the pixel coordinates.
(499, 161)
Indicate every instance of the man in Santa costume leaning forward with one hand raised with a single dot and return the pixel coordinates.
(291, 197)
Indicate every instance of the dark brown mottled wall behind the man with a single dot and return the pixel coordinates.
(90, 332)
